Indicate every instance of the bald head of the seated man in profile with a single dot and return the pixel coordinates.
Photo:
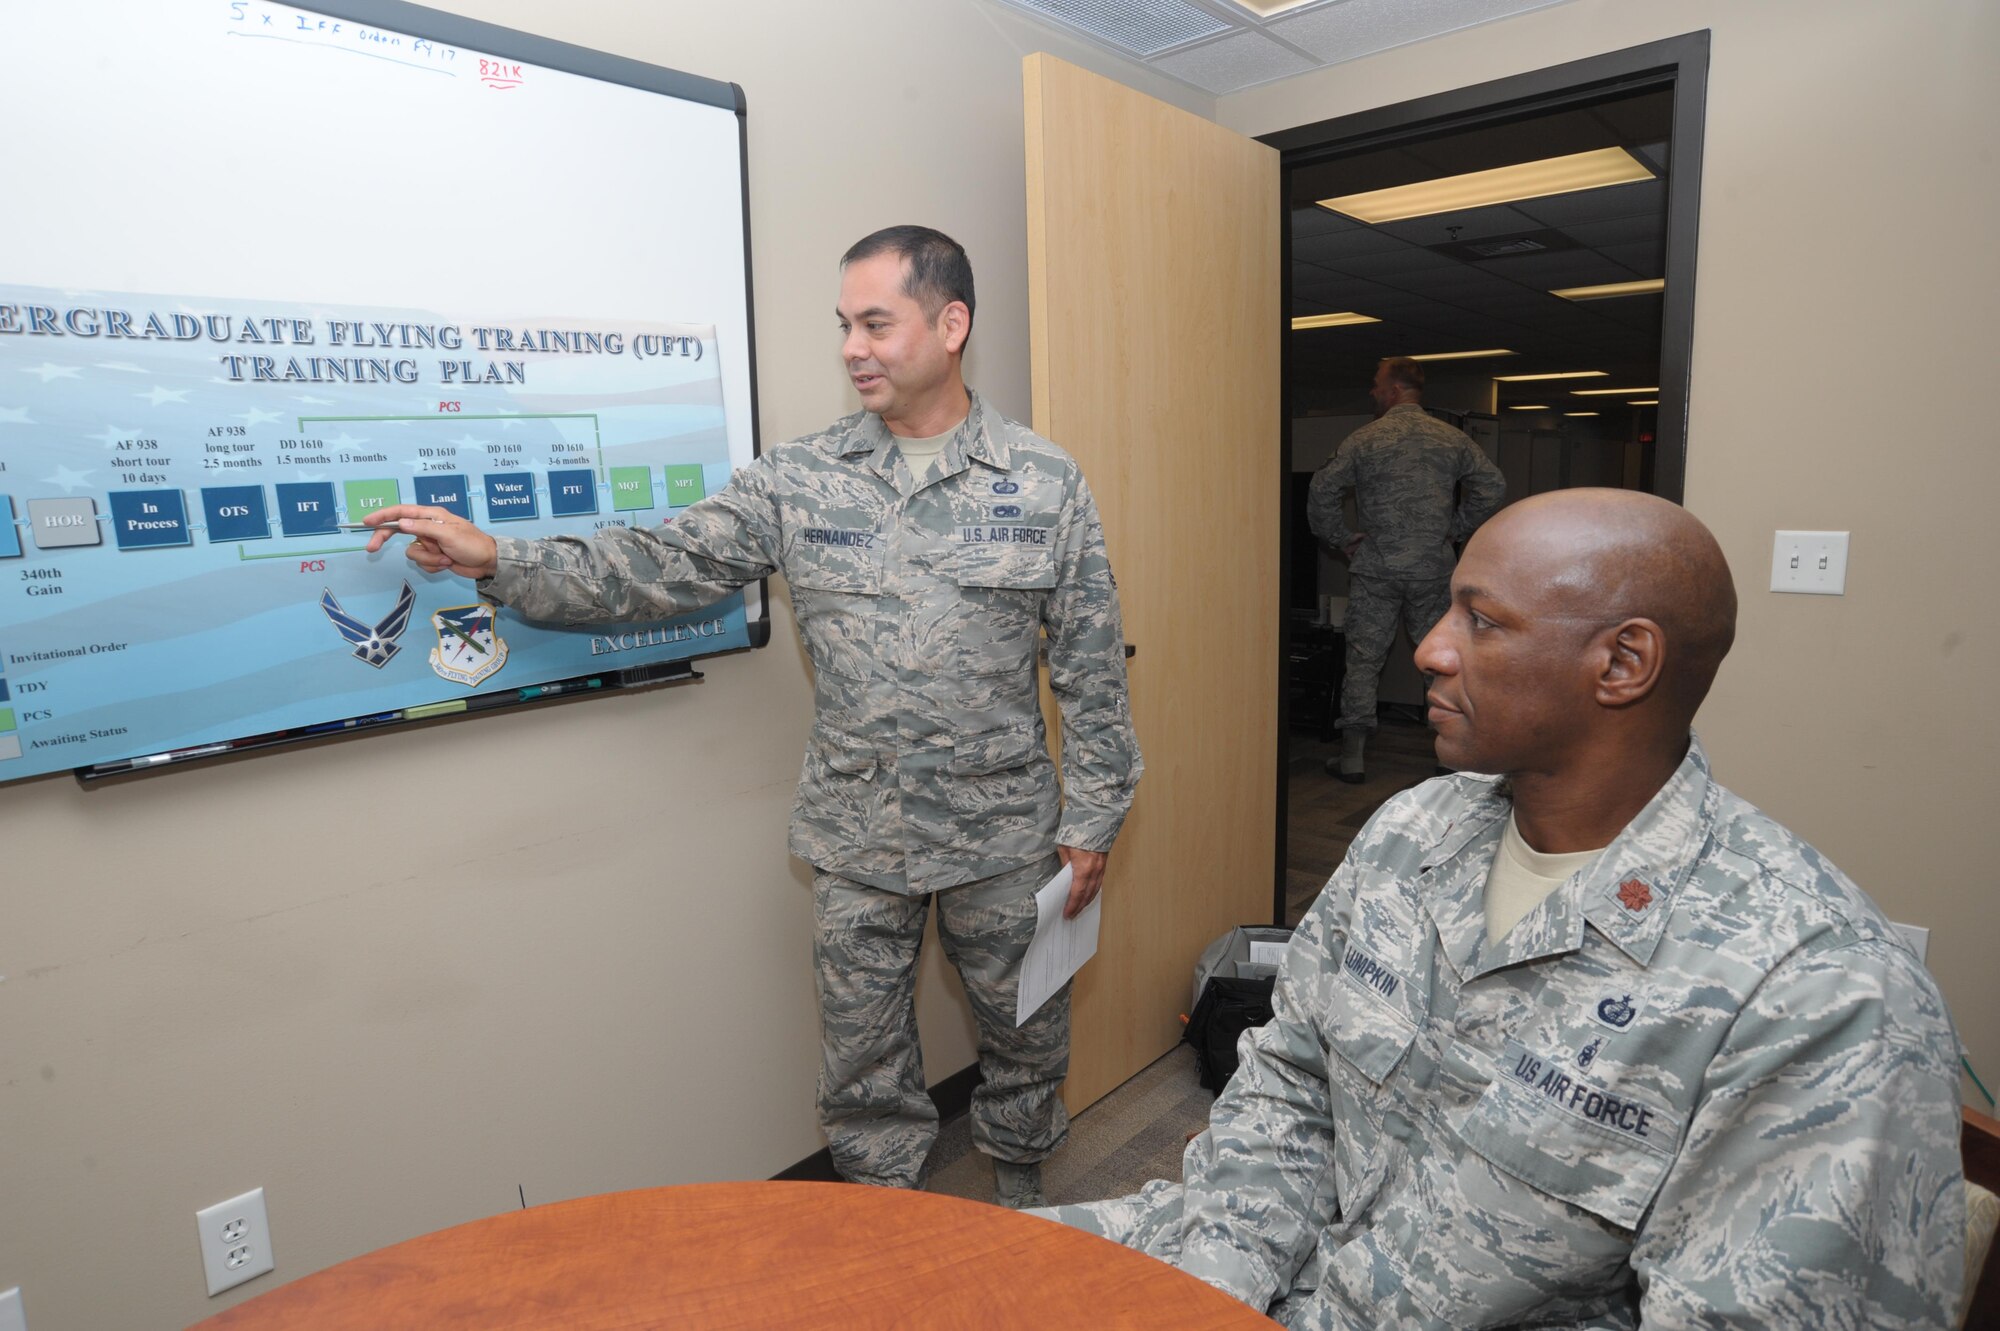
(1569, 609)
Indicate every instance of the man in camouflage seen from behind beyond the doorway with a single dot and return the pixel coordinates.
(1403, 471)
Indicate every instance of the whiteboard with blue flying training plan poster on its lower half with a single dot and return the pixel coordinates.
(411, 273)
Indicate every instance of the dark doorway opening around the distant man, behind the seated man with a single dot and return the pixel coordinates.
(1531, 243)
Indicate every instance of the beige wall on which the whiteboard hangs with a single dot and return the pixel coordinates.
(393, 980)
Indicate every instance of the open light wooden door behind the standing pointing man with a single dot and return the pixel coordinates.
(1155, 323)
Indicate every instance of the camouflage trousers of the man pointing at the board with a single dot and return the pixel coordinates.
(875, 1110)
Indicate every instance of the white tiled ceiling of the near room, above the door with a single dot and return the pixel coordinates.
(1231, 45)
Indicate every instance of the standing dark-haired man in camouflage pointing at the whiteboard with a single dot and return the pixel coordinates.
(929, 545)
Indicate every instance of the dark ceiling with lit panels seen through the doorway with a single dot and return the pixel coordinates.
(1485, 277)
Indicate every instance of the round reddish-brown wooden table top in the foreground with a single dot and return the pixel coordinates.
(749, 1256)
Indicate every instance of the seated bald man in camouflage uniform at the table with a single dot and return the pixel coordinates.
(1701, 1084)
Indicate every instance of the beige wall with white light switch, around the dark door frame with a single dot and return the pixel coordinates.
(1845, 353)
